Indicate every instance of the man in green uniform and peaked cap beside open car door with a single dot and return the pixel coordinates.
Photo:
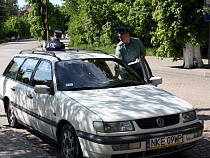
(129, 49)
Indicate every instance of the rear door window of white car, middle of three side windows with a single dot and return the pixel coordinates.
(26, 70)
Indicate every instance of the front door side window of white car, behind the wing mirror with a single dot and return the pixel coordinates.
(43, 74)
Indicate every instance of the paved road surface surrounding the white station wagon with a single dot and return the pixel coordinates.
(190, 87)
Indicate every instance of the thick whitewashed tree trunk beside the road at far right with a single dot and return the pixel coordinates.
(192, 56)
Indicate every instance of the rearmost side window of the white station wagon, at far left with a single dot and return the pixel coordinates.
(13, 67)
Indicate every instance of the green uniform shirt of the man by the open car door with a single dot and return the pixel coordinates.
(129, 52)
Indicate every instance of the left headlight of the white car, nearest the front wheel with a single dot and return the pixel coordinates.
(110, 127)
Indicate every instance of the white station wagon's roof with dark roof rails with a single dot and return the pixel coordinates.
(67, 54)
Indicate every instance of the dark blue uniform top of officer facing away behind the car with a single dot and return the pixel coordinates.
(54, 45)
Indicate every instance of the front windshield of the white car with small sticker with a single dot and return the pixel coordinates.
(93, 74)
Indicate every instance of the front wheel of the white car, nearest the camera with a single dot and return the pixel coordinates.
(69, 143)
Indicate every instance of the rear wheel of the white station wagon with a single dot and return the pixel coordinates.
(12, 120)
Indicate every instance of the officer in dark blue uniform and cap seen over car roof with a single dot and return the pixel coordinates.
(55, 44)
